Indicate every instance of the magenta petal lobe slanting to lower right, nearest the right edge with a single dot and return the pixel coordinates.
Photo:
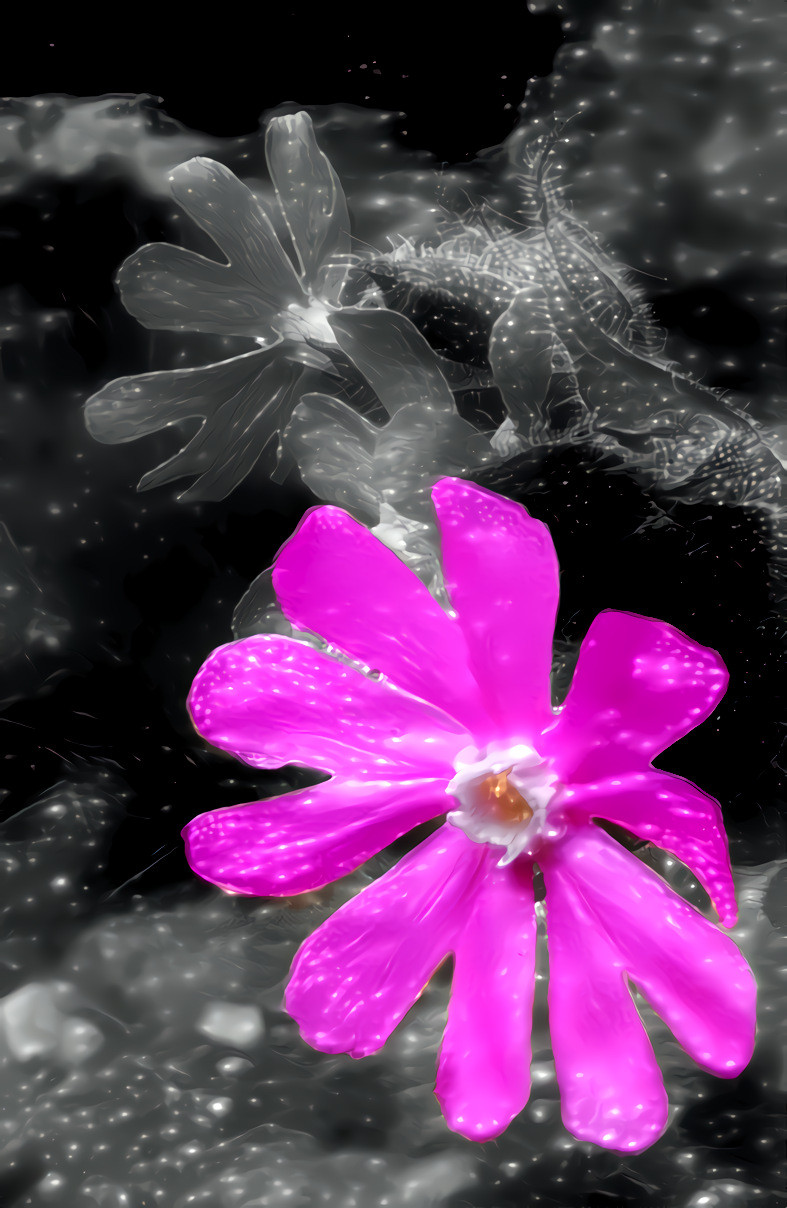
(691, 973)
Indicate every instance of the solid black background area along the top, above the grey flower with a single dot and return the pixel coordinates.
(452, 75)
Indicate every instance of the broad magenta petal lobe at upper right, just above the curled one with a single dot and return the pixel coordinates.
(640, 686)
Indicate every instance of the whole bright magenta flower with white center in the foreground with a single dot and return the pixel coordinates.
(460, 704)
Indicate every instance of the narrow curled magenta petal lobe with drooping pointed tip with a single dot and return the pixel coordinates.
(674, 815)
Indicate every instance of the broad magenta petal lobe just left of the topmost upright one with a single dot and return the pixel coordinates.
(338, 580)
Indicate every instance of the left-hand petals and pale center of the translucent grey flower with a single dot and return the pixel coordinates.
(257, 293)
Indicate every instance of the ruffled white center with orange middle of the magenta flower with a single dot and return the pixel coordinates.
(504, 798)
